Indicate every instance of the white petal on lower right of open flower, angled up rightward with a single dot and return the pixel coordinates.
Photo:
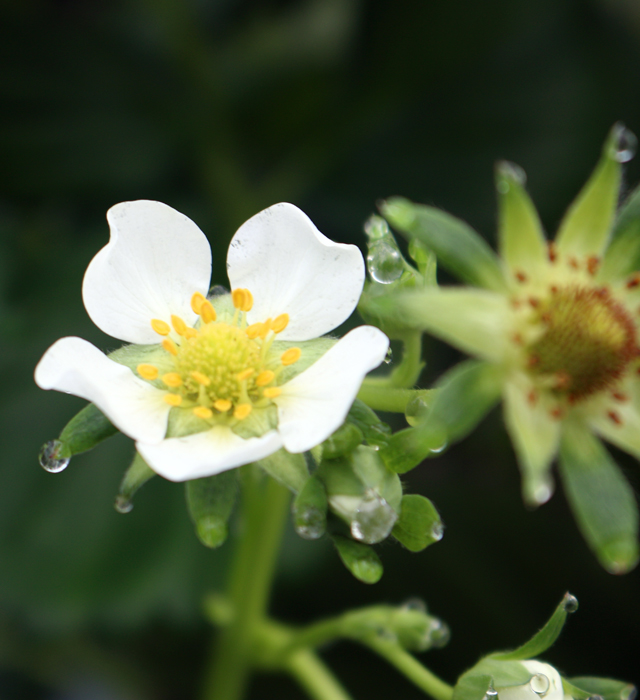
(316, 402)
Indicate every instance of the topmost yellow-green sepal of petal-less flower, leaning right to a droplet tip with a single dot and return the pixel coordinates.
(585, 229)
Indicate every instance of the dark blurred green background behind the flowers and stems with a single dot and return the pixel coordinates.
(221, 108)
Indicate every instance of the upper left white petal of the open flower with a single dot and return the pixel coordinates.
(154, 262)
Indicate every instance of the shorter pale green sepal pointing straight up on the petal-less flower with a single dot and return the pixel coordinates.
(521, 241)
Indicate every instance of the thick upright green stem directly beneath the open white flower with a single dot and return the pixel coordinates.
(265, 507)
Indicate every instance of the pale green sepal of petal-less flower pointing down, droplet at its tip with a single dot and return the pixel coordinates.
(535, 436)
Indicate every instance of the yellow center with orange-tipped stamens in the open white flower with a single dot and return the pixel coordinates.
(221, 369)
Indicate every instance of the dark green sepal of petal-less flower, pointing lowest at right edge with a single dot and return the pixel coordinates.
(601, 498)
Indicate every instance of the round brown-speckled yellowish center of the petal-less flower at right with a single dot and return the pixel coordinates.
(588, 341)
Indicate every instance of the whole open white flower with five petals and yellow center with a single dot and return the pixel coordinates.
(235, 377)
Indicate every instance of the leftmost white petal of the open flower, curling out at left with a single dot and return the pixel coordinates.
(76, 367)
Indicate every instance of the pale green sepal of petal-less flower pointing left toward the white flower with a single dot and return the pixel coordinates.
(474, 320)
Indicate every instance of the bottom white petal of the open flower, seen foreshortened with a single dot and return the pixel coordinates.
(207, 453)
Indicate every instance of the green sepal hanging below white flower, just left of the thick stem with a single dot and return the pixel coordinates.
(210, 502)
